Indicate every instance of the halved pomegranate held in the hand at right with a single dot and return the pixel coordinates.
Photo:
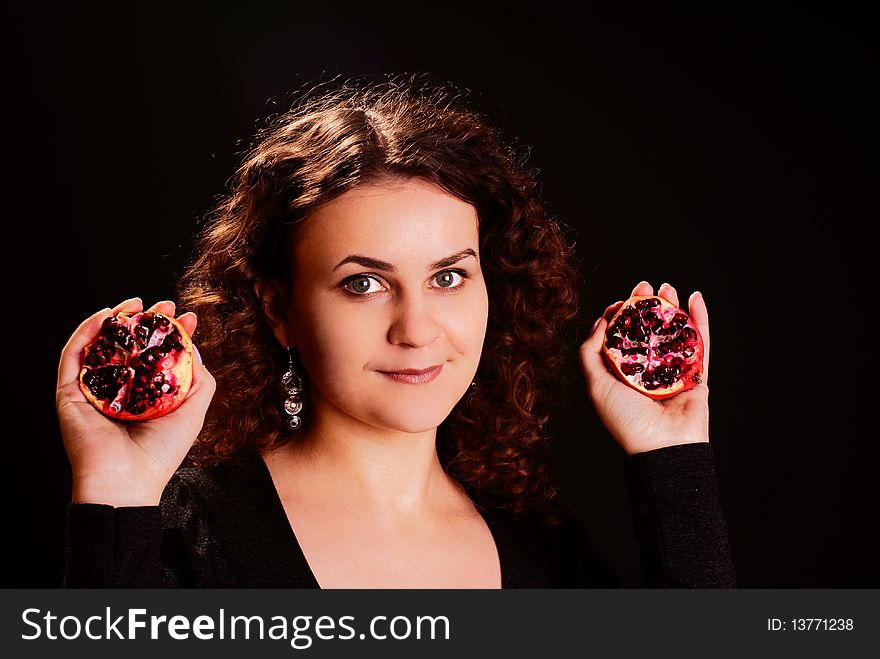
(654, 347)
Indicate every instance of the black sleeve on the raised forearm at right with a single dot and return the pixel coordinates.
(677, 518)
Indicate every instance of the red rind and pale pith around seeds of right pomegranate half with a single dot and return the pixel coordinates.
(691, 371)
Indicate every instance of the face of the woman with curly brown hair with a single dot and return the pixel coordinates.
(389, 307)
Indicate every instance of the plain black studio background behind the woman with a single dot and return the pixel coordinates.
(729, 150)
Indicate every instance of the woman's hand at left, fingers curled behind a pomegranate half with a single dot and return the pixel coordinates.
(118, 463)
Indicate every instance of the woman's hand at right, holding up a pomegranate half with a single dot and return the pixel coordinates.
(637, 422)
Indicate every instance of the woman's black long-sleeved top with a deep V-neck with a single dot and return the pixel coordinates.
(225, 527)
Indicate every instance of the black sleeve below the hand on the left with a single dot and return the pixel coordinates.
(137, 547)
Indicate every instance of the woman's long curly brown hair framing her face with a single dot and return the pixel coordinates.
(345, 133)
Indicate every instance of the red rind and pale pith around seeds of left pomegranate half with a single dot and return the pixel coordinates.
(176, 366)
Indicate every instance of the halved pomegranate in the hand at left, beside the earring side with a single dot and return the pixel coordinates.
(139, 367)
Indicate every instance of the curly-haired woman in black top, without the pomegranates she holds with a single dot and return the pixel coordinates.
(384, 246)
